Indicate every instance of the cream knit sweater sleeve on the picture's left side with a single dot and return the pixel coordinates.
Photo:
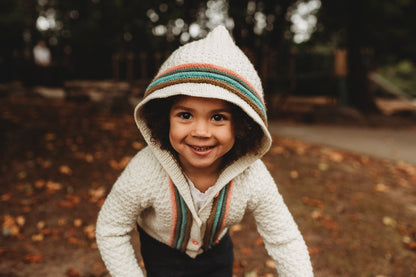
(117, 218)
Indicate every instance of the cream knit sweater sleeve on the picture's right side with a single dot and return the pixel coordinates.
(281, 236)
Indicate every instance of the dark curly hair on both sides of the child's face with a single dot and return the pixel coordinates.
(248, 134)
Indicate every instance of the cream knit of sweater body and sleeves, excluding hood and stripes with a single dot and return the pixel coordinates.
(143, 195)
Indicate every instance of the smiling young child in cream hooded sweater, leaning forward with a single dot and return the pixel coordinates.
(204, 120)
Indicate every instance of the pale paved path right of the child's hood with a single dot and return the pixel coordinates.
(398, 145)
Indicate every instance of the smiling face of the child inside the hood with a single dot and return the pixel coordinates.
(201, 132)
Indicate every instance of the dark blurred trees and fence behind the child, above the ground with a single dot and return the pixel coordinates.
(349, 50)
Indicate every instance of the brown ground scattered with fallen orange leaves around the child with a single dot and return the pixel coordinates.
(59, 160)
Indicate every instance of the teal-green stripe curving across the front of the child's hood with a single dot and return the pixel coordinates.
(219, 75)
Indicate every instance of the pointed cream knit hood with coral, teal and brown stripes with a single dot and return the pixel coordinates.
(213, 67)
